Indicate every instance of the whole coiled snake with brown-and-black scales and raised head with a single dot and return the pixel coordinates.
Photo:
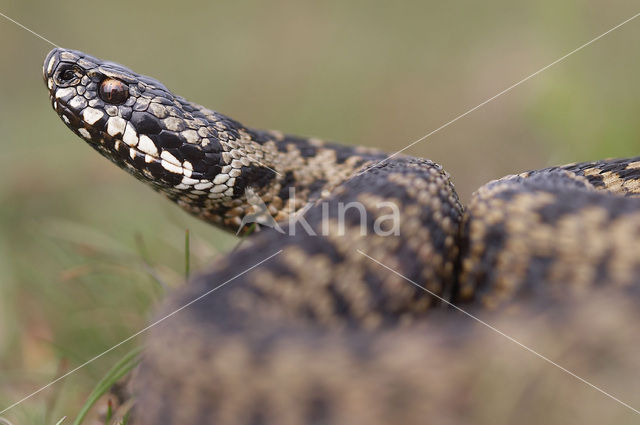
(335, 309)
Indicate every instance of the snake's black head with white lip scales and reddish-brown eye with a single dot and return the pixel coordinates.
(180, 148)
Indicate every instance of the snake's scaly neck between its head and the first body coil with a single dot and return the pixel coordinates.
(253, 171)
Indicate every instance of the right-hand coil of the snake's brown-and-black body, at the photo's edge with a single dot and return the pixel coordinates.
(552, 233)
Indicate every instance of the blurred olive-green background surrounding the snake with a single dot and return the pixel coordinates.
(80, 239)
